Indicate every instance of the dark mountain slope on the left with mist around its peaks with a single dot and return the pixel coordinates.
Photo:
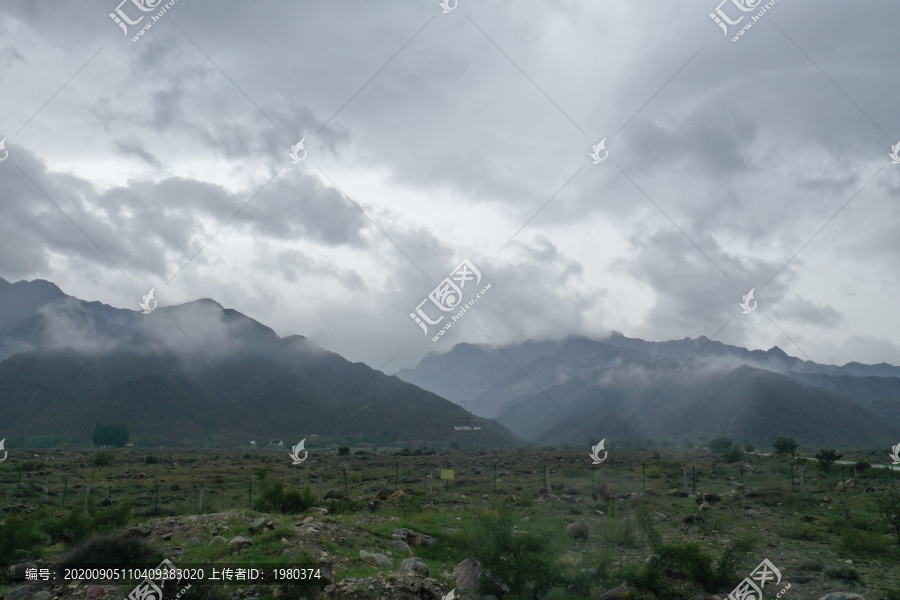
(197, 373)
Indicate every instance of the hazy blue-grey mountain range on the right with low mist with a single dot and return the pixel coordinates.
(688, 390)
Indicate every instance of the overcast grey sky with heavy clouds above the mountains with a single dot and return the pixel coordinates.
(431, 137)
